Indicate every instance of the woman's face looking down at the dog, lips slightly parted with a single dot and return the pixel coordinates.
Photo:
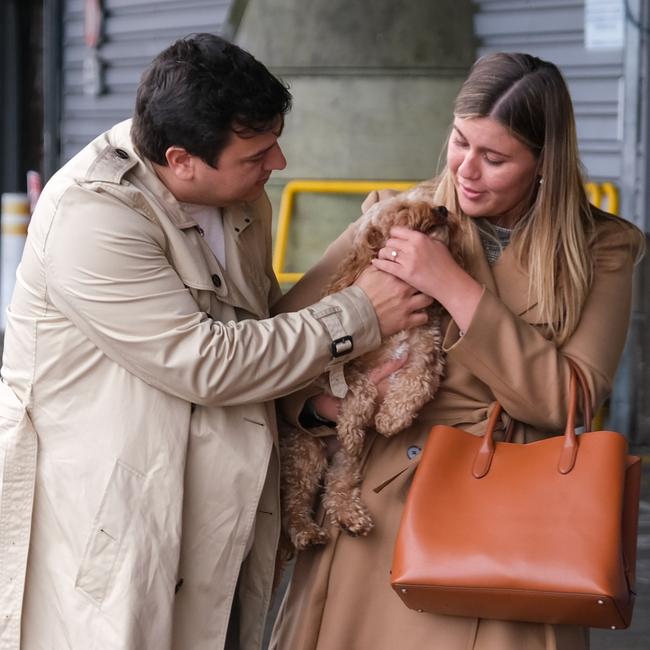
(493, 171)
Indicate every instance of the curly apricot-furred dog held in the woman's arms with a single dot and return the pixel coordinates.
(304, 461)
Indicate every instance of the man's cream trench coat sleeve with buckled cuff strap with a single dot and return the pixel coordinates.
(107, 272)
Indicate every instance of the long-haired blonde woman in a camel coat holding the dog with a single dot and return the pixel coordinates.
(547, 278)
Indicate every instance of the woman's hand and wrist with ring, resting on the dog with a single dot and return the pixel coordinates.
(428, 266)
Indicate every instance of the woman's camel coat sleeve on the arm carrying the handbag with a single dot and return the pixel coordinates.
(528, 373)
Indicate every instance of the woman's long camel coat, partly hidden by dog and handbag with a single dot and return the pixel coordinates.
(340, 597)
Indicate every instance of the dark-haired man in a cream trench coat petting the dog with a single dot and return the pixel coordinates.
(139, 506)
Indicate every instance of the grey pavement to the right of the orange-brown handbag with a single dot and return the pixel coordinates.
(637, 636)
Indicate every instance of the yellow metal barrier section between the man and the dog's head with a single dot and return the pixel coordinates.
(321, 187)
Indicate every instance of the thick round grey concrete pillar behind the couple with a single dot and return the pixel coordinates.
(373, 84)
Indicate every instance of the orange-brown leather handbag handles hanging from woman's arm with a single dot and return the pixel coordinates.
(567, 459)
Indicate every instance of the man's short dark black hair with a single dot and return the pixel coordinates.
(197, 92)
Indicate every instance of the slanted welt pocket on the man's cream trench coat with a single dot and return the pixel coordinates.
(121, 499)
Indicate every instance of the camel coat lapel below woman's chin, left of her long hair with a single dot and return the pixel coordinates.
(506, 279)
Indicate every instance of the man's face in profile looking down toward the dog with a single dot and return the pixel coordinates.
(243, 168)
